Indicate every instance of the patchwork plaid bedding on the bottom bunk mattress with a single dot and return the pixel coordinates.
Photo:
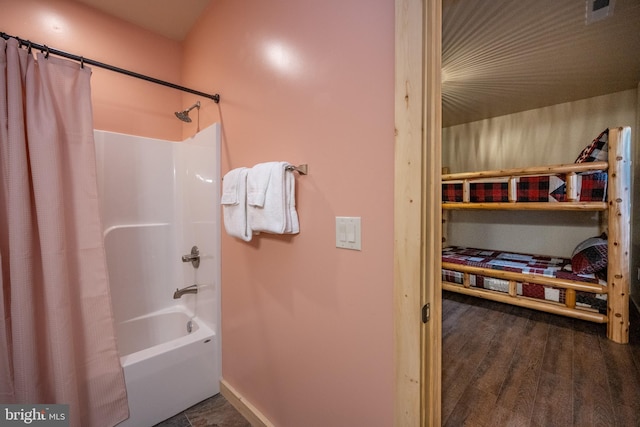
(521, 263)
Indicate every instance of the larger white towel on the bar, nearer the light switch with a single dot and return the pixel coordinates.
(271, 199)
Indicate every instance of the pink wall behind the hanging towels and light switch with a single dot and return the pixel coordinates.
(307, 328)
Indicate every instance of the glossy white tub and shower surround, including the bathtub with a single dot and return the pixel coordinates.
(159, 199)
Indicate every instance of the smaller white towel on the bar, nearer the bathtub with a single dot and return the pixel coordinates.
(234, 203)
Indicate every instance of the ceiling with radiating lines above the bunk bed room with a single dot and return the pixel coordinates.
(505, 56)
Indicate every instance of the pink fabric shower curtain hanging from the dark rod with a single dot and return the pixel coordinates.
(57, 340)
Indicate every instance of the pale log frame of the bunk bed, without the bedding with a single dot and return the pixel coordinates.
(616, 210)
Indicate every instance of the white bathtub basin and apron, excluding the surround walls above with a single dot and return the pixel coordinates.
(166, 368)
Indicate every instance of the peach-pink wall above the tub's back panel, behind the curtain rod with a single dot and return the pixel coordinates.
(120, 103)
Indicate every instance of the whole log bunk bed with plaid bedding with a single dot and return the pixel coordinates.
(595, 287)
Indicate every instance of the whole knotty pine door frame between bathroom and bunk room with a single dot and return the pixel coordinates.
(417, 213)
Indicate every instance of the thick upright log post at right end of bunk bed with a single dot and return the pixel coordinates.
(618, 269)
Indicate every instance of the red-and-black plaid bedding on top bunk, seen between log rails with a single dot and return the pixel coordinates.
(591, 188)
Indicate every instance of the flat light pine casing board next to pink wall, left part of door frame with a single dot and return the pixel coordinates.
(407, 211)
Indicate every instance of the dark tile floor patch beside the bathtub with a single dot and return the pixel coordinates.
(213, 412)
